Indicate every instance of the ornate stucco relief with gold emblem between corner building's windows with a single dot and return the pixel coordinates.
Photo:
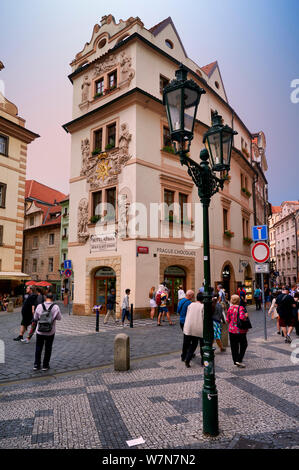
(103, 169)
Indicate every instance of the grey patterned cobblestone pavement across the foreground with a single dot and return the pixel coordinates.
(158, 399)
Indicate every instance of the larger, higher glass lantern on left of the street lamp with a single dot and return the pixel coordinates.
(181, 98)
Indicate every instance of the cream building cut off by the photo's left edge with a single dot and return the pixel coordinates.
(14, 140)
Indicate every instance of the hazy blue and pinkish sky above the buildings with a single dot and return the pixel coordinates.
(254, 41)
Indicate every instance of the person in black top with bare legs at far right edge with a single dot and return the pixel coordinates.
(285, 306)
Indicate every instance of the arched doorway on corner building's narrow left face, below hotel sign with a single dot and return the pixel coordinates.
(104, 281)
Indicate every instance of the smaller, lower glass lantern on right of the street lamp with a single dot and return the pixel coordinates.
(219, 139)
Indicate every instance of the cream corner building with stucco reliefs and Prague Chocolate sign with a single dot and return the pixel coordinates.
(135, 216)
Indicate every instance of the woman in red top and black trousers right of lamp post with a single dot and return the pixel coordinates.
(237, 336)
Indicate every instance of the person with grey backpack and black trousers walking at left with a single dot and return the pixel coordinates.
(50, 312)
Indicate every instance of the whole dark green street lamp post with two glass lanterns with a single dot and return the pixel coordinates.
(181, 98)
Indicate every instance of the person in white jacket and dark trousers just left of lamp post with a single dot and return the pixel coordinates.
(193, 330)
